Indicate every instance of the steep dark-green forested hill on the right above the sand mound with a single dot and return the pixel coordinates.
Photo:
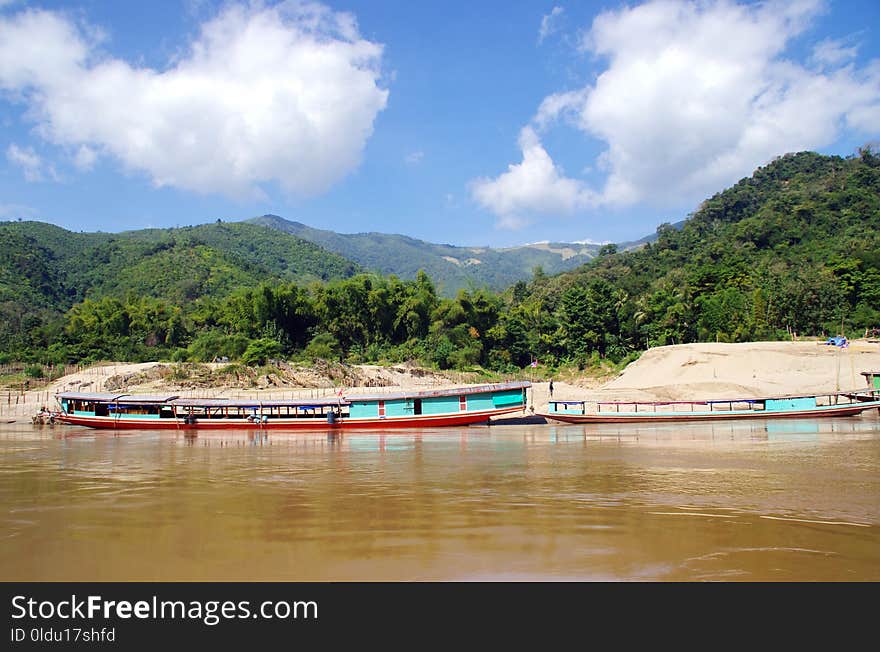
(794, 248)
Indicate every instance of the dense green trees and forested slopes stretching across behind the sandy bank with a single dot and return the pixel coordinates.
(792, 249)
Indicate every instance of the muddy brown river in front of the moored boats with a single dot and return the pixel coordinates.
(751, 501)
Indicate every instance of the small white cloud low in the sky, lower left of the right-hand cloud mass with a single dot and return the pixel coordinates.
(534, 186)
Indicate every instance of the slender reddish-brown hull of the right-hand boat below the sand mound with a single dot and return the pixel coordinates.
(660, 417)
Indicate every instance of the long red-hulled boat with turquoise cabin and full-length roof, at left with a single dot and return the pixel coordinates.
(440, 407)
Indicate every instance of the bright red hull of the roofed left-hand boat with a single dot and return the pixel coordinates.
(420, 421)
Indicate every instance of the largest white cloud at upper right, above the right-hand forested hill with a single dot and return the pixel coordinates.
(695, 95)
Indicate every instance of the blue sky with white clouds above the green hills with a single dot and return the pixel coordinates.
(477, 123)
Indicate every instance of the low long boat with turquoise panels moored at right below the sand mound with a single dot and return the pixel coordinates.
(839, 404)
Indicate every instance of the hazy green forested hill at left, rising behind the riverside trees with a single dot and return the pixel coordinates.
(44, 269)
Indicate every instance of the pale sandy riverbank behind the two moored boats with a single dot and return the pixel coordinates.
(681, 372)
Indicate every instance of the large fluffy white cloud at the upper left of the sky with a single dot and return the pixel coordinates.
(284, 93)
